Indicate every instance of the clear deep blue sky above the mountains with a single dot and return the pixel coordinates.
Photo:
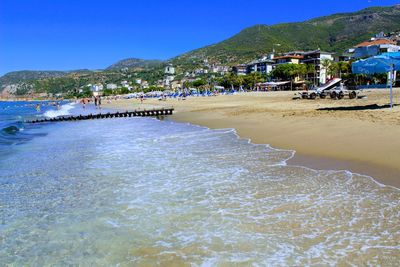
(76, 34)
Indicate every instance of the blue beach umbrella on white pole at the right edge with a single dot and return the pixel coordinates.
(385, 63)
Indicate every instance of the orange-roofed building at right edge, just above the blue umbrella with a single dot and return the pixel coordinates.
(375, 47)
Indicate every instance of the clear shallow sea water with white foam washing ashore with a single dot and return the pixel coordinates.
(145, 192)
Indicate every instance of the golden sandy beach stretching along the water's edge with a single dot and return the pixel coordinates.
(361, 135)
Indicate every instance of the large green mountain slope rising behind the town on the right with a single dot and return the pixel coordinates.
(333, 33)
